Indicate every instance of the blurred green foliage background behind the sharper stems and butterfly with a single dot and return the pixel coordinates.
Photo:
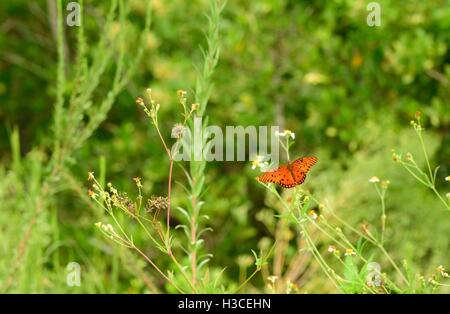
(346, 89)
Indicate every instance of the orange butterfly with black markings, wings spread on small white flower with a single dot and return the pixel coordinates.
(291, 174)
